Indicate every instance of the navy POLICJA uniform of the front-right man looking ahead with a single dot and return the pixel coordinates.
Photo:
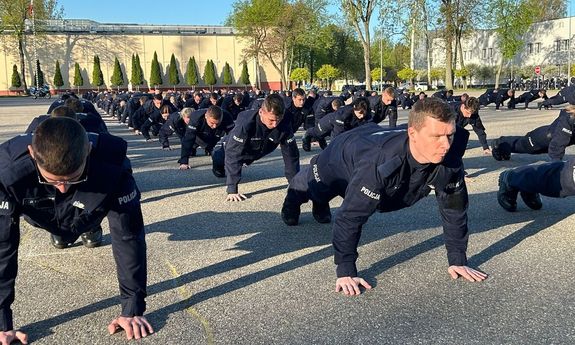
(373, 170)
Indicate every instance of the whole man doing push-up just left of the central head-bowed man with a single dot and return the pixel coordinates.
(205, 129)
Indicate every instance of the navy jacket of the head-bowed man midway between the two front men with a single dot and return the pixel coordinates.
(250, 140)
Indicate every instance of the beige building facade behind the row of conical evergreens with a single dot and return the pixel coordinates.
(71, 41)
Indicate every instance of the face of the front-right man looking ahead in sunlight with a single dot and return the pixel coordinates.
(431, 142)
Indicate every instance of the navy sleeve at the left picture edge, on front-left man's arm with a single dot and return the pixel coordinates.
(9, 239)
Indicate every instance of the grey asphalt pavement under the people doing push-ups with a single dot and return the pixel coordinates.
(233, 273)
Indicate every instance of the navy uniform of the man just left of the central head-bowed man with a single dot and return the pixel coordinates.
(198, 133)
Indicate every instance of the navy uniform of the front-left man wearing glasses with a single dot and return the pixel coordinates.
(110, 191)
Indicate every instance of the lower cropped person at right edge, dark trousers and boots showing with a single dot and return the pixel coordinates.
(553, 179)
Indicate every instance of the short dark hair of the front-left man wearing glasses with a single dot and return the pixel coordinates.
(60, 145)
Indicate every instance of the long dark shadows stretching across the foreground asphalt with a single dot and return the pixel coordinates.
(273, 239)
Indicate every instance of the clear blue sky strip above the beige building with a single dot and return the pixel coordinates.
(187, 12)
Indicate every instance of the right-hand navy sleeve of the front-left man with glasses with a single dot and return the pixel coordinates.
(129, 246)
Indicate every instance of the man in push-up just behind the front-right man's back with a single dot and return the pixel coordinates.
(343, 119)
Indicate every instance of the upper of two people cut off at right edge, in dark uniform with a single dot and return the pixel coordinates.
(551, 139)
